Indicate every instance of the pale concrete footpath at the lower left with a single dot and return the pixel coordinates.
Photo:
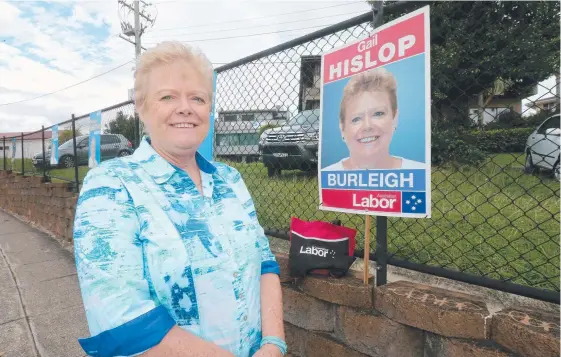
(41, 310)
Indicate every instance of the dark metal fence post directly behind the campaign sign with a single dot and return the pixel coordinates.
(381, 222)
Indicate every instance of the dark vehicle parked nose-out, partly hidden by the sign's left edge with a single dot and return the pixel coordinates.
(292, 146)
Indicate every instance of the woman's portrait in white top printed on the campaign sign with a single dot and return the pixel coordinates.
(367, 120)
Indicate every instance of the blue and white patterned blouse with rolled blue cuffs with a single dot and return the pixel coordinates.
(152, 252)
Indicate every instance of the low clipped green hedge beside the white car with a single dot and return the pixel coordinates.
(503, 140)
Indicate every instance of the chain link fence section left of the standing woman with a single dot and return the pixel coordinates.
(33, 153)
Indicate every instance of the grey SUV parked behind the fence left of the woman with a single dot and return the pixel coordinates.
(111, 146)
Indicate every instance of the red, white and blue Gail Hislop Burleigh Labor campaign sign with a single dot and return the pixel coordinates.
(374, 152)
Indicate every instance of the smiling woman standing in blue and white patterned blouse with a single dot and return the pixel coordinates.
(171, 258)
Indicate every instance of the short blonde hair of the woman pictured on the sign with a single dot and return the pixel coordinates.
(378, 79)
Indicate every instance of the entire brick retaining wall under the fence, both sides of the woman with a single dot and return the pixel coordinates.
(343, 317)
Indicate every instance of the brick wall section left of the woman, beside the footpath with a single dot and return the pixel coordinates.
(49, 206)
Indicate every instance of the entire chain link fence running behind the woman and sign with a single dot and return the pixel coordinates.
(495, 142)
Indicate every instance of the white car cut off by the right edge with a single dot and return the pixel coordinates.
(542, 147)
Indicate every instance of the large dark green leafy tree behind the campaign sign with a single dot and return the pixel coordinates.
(478, 46)
